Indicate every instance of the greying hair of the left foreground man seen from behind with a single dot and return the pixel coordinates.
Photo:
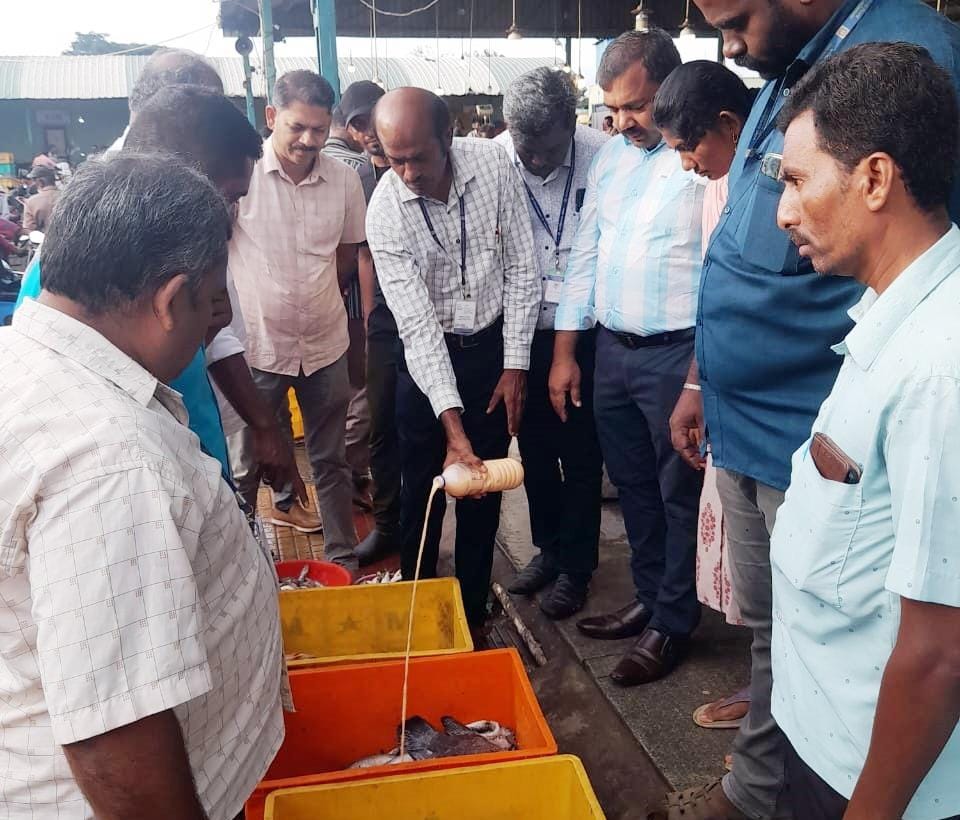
(127, 224)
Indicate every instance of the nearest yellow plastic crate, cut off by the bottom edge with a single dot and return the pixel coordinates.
(551, 788)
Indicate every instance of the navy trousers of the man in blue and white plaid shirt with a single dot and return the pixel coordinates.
(634, 394)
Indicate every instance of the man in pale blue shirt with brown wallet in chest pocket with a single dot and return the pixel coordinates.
(866, 569)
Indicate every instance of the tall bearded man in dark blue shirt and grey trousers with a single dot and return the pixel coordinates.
(764, 329)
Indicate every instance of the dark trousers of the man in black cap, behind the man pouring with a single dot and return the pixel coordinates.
(383, 357)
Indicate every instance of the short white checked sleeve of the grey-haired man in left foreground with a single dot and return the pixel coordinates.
(115, 602)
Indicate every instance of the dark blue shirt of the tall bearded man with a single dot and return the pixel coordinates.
(766, 320)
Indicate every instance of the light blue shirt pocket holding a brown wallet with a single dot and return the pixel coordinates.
(819, 519)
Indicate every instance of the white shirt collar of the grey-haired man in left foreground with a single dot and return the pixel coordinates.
(81, 343)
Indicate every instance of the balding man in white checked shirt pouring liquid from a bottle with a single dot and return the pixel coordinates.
(452, 242)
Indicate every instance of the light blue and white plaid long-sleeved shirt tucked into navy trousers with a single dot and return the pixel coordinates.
(636, 258)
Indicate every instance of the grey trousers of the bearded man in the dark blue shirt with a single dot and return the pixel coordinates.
(756, 785)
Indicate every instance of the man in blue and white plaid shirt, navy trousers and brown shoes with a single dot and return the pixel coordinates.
(634, 270)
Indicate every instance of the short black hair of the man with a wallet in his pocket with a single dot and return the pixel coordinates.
(890, 98)
